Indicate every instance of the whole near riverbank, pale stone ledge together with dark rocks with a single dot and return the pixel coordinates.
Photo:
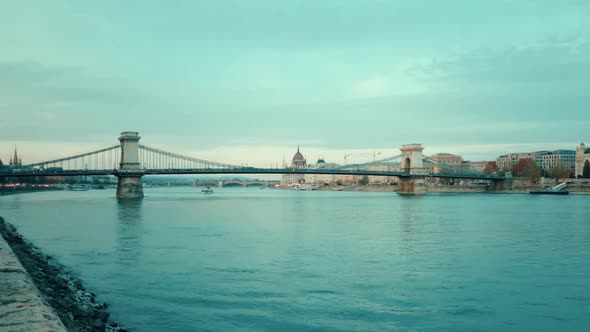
(36, 294)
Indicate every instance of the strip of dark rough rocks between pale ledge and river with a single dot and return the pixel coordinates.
(75, 305)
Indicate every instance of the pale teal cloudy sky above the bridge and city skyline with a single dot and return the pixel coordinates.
(247, 81)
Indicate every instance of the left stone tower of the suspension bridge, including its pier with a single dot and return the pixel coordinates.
(129, 184)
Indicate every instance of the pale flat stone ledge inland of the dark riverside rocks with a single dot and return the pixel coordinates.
(21, 305)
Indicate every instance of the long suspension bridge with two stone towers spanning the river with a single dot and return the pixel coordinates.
(129, 161)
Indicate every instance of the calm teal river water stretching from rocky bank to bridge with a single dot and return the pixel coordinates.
(245, 259)
